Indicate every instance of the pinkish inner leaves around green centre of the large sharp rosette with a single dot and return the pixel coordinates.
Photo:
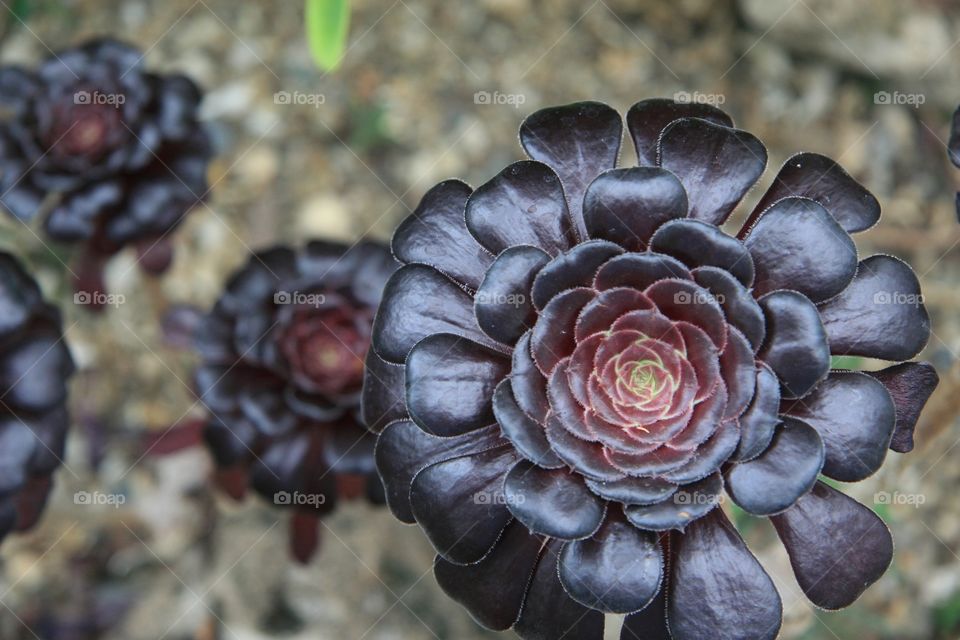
(638, 373)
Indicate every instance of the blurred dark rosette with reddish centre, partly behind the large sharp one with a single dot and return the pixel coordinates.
(283, 353)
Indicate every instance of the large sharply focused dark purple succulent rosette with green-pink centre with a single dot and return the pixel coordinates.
(576, 363)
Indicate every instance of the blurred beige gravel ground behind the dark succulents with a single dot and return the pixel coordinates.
(430, 90)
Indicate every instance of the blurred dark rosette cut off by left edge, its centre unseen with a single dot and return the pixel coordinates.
(35, 366)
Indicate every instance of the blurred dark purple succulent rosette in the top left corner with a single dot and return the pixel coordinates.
(111, 153)
